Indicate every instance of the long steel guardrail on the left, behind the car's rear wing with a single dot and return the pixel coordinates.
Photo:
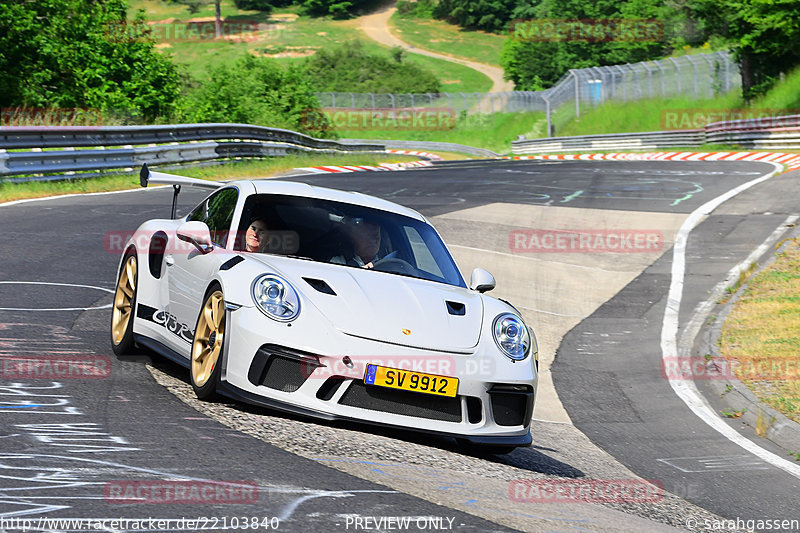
(113, 146)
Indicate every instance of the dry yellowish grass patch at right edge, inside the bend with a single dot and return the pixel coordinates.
(762, 333)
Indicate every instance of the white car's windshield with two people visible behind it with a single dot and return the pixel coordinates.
(345, 234)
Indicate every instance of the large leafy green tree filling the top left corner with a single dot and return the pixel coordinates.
(82, 53)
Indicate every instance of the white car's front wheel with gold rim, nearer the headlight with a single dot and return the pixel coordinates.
(207, 345)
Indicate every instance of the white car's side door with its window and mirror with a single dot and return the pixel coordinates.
(190, 270)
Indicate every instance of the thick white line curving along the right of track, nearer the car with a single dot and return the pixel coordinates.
(685, 389)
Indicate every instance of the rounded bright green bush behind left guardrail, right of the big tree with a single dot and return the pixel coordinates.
(257, 91)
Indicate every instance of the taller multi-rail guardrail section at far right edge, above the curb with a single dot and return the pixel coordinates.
(770, 133)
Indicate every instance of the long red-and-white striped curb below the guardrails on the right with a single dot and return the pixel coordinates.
(789, 161)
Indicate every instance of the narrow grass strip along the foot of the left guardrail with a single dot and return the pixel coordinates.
(244, 169)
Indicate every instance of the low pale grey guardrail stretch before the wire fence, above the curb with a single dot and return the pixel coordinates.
(654, 140)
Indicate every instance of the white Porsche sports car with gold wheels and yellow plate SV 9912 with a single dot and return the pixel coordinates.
(326, 303)
